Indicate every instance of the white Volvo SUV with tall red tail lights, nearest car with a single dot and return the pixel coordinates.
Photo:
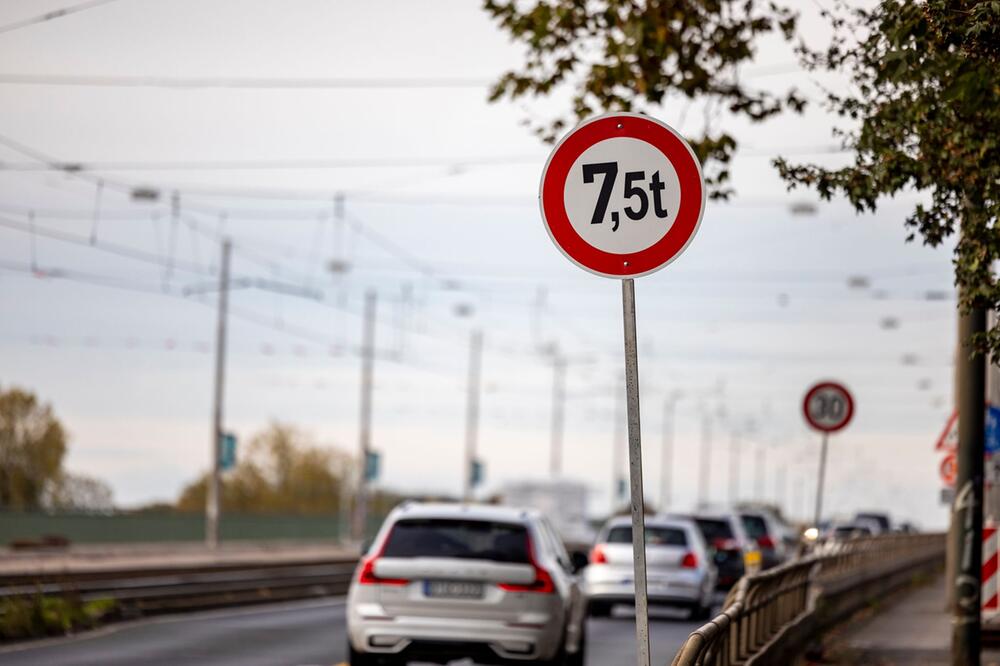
(447, 581)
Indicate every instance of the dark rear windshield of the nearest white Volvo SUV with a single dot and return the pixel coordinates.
(463, 539)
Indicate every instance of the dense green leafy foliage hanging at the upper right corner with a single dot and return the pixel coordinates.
(924, 110)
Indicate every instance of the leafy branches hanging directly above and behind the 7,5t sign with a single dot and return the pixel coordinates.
(624, 55)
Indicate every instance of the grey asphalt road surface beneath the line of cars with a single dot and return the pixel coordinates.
(294, 634)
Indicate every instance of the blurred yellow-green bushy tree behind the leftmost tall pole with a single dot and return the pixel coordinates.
(282, 471)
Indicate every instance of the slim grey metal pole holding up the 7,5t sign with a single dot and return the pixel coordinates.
(635, 473)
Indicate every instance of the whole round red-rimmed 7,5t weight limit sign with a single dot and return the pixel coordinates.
(622, 195)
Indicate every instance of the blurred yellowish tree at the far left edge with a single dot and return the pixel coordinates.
(32, 448)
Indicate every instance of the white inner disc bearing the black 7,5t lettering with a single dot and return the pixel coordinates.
(622, 195)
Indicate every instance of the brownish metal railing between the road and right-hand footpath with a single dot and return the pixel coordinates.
(760, 609)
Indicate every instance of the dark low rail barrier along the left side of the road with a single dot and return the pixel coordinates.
(184, 588)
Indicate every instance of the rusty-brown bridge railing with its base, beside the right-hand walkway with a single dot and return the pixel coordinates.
(774, 612)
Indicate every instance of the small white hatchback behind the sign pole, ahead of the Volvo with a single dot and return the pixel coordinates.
(679, 570)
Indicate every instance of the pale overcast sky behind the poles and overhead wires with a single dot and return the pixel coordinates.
(440, 211)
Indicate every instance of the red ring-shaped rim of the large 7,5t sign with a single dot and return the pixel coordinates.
(690, 210)
